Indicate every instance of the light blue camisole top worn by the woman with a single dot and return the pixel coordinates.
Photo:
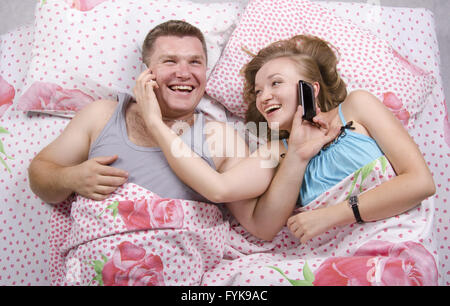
(345, 155)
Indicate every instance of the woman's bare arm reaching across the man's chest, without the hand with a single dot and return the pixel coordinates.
(246, 179)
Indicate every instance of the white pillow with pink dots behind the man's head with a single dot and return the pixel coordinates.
(86, 50)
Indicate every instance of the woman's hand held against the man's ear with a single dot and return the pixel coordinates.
(146, 98)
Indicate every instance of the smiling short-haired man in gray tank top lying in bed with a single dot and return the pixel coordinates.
(80, 161)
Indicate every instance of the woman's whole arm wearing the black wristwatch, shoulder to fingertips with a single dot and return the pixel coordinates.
(412, 184)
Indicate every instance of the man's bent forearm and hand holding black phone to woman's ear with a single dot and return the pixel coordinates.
(265, 217)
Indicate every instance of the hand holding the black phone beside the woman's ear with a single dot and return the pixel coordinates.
(307, 139)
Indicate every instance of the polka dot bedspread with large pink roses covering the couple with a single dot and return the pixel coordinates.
(137, 238)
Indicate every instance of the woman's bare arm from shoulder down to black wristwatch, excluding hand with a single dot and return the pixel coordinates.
(413, 182)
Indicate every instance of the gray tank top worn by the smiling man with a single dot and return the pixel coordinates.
(147, 166)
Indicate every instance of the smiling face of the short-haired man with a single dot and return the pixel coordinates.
(179, 64)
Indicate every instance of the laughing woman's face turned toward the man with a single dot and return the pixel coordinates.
(276, 89)
